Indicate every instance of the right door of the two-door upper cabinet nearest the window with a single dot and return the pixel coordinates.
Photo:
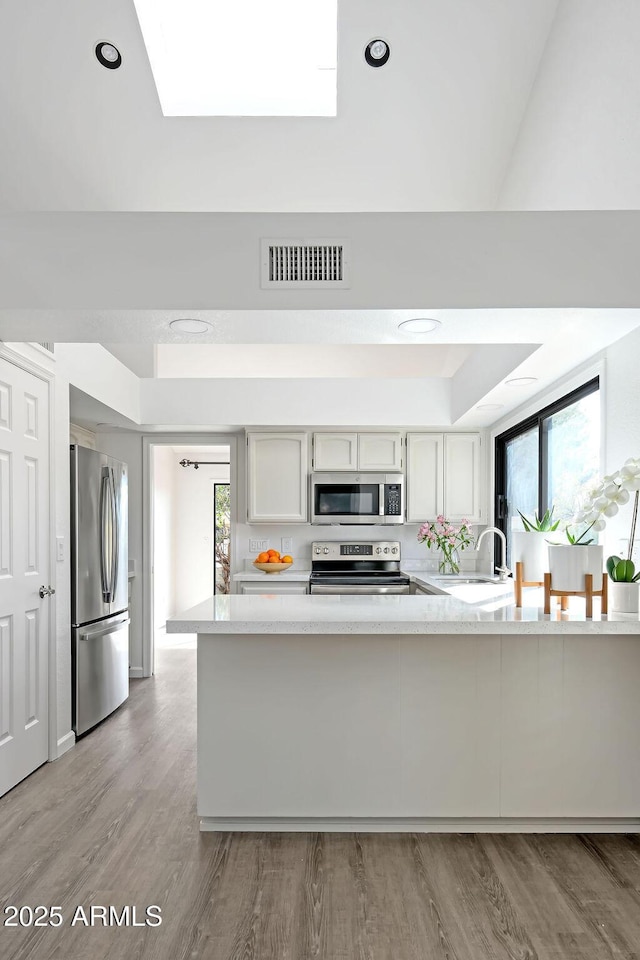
(462, 477)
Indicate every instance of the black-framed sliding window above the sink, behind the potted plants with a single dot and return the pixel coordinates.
(549, 460)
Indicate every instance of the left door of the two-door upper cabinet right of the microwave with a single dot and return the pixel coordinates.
(425, 476)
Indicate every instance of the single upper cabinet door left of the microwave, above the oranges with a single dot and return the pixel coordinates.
(277, 478)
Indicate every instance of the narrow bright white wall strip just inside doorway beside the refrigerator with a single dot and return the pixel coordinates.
(165, 517)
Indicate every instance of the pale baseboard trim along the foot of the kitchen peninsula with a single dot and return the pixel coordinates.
(420, 825)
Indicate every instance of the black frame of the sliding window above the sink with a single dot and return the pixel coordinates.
(534, 421)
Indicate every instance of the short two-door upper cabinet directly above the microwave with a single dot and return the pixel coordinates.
(358, 451)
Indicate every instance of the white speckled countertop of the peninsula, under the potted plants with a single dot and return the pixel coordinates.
(387, 614)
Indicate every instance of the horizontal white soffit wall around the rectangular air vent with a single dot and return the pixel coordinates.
(179, 261)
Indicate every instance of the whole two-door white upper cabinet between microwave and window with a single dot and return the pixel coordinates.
(444, 477)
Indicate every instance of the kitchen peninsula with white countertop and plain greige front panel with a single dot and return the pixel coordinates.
(414, 713)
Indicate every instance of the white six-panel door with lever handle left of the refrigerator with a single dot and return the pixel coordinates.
(24, 568)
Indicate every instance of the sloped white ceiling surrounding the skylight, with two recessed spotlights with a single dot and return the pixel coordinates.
(433, 130)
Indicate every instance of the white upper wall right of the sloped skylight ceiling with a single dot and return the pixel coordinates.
(580, 138)
